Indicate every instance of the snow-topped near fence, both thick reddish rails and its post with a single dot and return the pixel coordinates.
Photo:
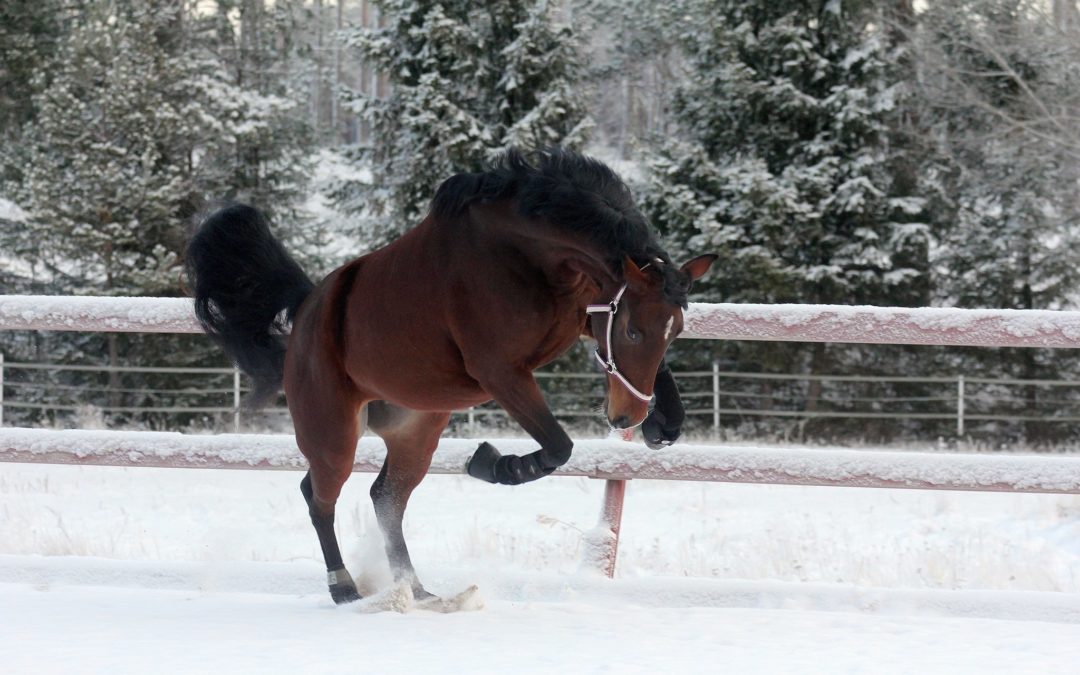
(614, 462)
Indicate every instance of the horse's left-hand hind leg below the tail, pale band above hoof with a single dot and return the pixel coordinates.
(331, 448)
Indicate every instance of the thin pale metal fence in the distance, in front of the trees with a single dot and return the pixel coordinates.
(715, 400)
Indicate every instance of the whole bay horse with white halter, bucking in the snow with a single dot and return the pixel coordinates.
(508, 271)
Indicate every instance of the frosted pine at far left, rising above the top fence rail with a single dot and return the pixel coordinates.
(103, 196)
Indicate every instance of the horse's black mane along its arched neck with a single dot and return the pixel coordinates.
(572, 192)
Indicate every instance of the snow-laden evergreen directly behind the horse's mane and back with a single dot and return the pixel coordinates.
(467, 80)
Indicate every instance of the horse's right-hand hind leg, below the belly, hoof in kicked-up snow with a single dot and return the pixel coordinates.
(411, 439)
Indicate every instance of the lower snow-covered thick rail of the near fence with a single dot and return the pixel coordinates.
(602, 460)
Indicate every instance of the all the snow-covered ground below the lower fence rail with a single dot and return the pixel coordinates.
(190, 571)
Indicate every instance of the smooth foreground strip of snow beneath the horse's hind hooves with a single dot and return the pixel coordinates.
(119, 630)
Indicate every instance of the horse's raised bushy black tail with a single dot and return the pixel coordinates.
(242, 280)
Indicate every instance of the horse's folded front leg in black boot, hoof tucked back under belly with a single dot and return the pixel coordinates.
(520, 396)
